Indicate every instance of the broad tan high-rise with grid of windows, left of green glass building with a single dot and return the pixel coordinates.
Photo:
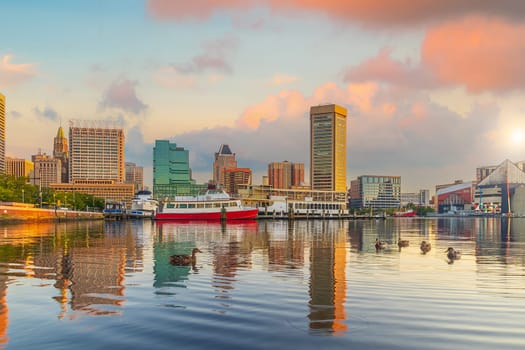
(96, 151)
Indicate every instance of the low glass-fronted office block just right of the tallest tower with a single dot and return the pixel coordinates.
(375, 192)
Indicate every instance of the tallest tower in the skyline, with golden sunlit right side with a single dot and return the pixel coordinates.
(328, 148)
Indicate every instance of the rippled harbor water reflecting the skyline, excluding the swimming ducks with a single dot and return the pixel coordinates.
(270, 284)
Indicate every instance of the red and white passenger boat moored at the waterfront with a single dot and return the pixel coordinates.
(213, 205)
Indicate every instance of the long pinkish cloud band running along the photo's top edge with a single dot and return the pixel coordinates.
(372, 13)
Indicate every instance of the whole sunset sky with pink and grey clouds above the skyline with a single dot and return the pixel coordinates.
(434, 89)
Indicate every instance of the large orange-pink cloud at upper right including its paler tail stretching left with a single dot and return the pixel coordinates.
(470, 53)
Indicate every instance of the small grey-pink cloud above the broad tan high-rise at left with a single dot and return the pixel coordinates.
(121, 94)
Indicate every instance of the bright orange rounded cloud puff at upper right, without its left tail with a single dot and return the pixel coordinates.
(483, 54)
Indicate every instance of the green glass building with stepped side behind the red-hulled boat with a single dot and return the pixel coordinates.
(171, 171)
